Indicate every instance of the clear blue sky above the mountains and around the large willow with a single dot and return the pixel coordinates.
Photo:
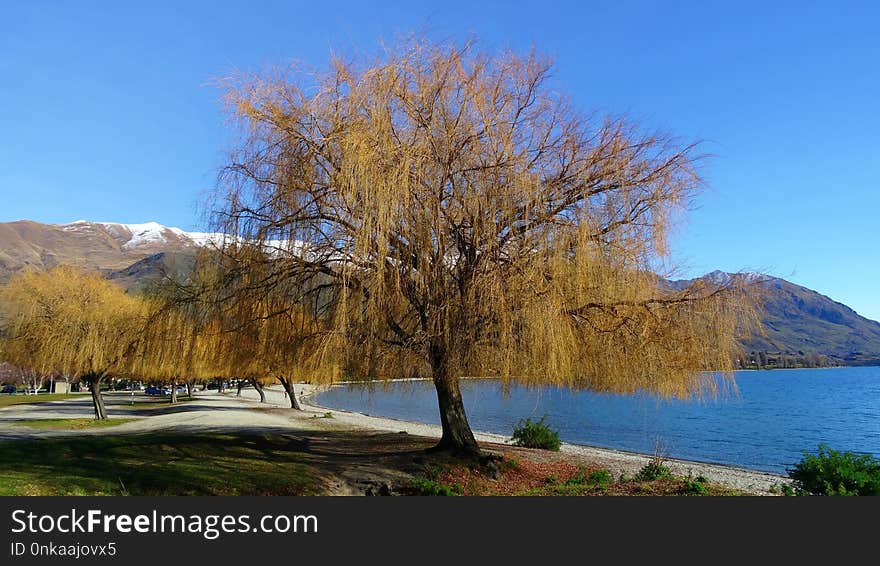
(107, 110)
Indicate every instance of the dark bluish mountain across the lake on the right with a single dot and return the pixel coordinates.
(803, 327)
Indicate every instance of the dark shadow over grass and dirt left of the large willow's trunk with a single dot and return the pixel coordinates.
(260, 462)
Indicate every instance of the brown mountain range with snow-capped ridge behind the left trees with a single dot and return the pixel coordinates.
(105, 246)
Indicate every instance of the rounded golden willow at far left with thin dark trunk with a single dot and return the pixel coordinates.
(71, 322)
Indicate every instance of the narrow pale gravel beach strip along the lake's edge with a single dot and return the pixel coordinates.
(617, 461)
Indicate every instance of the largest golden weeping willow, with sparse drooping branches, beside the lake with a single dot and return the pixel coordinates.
(467, 220)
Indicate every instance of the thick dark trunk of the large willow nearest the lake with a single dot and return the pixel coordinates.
(457, 435)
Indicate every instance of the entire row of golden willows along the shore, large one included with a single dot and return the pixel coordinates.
(439, 213)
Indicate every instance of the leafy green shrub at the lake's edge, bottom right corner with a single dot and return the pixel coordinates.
(834, 473)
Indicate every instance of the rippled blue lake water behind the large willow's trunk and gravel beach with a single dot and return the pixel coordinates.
(765, 425)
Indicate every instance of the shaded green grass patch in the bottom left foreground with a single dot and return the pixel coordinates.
(156, 464)
